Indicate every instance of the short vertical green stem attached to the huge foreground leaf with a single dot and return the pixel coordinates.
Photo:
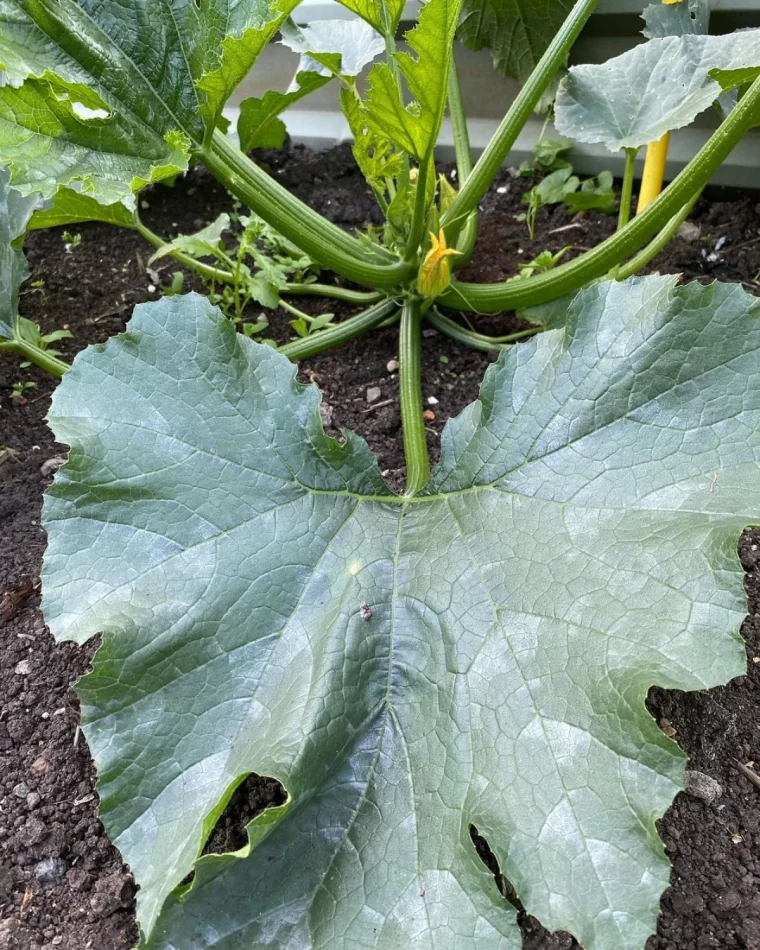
(410, 384)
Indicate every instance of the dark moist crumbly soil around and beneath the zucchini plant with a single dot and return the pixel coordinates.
(62, 882)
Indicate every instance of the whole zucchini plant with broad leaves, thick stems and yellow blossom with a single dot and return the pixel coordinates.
(474, 652)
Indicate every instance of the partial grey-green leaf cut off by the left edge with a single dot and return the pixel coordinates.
(15, 212)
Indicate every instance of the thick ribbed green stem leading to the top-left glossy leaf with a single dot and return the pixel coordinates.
(324, 241)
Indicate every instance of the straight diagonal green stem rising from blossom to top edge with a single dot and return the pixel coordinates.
(519, 113)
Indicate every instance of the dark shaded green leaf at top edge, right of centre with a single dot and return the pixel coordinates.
(516, 32)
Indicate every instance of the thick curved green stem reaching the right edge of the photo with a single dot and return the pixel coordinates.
(570, 277)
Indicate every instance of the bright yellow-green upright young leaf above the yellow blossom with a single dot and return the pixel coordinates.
(414, 127)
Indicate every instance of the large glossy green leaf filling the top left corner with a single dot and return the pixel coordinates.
(115, 95)
